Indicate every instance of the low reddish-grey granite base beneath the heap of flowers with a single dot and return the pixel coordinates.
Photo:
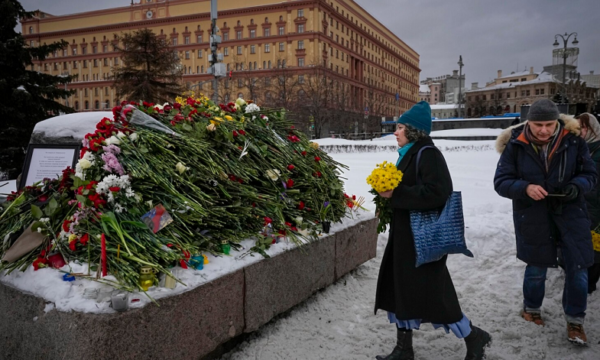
(190, 325)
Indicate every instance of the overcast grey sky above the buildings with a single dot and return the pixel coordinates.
(491, 35)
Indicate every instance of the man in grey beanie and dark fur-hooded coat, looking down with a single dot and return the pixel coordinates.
(545, 168)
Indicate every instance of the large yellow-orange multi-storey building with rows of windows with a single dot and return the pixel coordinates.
(338, 37)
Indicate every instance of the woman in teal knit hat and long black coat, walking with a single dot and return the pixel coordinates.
(412, 295)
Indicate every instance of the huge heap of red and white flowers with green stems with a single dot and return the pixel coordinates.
(223, 173)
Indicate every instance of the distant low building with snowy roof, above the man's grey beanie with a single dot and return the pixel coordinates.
(507, 93)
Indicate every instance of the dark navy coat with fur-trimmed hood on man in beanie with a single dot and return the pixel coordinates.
(541, 226)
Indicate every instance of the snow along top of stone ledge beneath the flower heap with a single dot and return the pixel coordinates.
(75, 296)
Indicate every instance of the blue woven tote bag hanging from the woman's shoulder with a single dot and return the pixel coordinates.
(437, 234)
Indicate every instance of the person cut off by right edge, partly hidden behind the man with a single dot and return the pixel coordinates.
(590, 132)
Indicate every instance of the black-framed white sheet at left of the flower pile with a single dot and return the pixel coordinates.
(47, 161)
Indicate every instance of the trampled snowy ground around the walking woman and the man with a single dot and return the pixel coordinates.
(338, 323)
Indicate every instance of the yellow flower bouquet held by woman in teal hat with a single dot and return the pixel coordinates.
(384, 177)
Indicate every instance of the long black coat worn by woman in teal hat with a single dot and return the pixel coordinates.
(425, 292)
